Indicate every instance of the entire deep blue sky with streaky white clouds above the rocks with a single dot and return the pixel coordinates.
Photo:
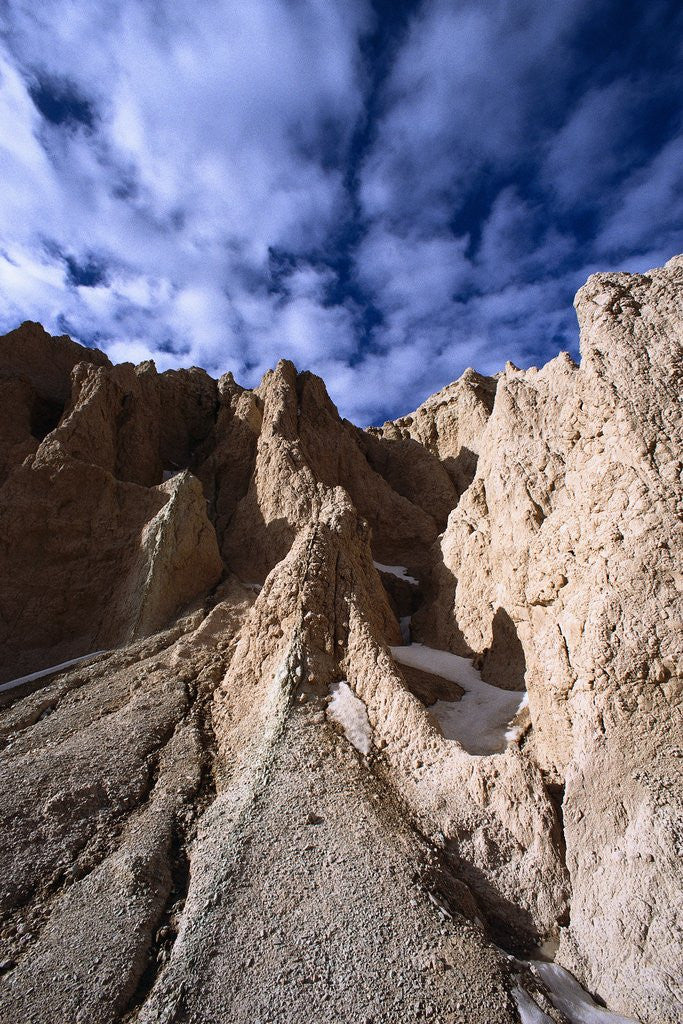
(386, 193)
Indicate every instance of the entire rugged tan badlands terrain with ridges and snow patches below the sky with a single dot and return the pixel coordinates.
(307, 723)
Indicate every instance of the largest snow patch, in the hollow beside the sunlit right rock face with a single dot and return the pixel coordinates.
(481, 720)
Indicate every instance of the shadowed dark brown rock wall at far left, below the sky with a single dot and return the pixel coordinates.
(95, 548)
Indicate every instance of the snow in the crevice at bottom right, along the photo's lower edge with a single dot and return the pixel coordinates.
(567, 996)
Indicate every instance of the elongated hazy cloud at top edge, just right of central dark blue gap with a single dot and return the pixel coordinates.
(461, 96)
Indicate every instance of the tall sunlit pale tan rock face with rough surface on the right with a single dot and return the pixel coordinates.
(571, 531)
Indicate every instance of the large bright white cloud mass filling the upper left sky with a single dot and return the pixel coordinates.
(204, 120)
